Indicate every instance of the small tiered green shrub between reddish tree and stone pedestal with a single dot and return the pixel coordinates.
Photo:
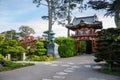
(39, 50)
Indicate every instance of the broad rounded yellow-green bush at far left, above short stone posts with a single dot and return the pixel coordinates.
(12, 47)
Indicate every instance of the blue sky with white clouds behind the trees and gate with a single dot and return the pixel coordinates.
(15, 13)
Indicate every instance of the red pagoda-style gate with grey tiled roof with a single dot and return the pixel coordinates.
(85, 30)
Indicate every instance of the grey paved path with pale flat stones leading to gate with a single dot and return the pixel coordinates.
(75, 68)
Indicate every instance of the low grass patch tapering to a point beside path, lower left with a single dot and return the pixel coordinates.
(12, 65)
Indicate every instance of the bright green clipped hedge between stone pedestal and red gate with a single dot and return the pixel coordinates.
(66, 47)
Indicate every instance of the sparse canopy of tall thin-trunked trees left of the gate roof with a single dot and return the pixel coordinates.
(58, 9)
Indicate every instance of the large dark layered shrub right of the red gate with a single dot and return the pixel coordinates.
(108, 46)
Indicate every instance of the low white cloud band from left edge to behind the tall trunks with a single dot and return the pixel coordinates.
(39, 26)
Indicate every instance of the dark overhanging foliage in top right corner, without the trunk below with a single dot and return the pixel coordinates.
(111, 6)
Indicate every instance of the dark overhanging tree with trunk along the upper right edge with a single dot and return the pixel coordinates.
(112, 7)
